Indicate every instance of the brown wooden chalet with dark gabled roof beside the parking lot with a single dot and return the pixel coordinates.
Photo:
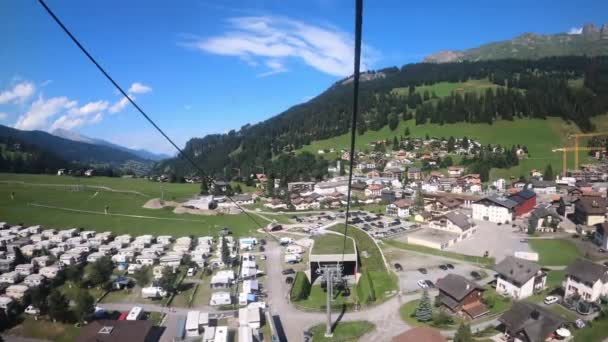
(461, 296)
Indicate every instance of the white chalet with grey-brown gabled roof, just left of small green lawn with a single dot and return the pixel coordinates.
(519, 278)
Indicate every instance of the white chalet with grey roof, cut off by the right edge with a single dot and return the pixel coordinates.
(586, 279)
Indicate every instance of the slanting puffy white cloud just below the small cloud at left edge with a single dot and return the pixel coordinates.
(41, 111)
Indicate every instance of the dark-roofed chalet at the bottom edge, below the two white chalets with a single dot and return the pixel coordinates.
(529, 322)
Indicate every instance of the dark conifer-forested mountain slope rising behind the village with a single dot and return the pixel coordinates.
(517, 89)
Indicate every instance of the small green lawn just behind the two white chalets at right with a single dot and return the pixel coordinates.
(555, 252)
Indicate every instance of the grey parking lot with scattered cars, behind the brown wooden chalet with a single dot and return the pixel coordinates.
(411, 262)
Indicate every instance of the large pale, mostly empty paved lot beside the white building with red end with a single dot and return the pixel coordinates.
(499, 240)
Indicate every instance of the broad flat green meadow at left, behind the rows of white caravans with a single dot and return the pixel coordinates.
(62, 202)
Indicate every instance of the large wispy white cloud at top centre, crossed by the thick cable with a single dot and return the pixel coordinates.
(273, 41)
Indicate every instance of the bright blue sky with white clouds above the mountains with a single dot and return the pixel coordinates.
(200, 67)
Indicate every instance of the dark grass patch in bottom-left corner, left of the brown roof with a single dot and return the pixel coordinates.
(46, 330)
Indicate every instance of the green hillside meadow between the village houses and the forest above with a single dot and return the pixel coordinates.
(540, 136)
